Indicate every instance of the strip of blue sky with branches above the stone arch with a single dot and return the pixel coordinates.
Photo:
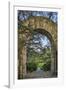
(25, 14)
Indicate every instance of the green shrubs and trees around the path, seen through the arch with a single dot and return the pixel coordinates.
(36, 60)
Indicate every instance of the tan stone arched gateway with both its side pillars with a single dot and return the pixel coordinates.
(44, 26)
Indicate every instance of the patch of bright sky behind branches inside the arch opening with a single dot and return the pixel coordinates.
(40, 42)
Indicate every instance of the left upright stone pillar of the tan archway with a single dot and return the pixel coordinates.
(22, 56)
